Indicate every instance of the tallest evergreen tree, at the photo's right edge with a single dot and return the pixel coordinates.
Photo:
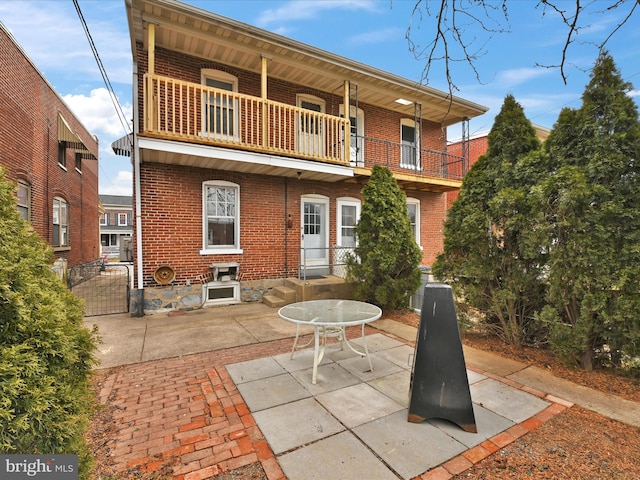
(592, 211)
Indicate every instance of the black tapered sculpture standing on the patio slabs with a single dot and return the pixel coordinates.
(439, 383)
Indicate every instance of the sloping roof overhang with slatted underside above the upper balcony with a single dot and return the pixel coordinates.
(193, 31)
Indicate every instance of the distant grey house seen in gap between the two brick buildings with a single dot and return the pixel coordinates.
(116, 228)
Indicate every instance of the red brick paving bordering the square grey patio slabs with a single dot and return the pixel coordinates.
(185, 415)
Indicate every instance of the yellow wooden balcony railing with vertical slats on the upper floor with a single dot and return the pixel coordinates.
(193, 112)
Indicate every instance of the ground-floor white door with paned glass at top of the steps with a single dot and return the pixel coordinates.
(315, 236)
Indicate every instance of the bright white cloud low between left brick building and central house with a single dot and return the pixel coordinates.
(98, 114)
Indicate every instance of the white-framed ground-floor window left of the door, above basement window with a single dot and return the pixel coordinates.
(221, 208)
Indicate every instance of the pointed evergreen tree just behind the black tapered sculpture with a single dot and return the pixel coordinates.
(491, 253)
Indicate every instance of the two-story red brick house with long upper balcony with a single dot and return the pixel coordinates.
(248, 173)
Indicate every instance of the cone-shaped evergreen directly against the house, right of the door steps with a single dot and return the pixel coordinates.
(384, 267)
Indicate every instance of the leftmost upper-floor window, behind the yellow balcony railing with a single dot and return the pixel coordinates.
(220, 110)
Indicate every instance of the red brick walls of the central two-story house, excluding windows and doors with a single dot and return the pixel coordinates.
(172, 195)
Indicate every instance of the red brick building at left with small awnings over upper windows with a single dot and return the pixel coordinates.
(50, 156)
